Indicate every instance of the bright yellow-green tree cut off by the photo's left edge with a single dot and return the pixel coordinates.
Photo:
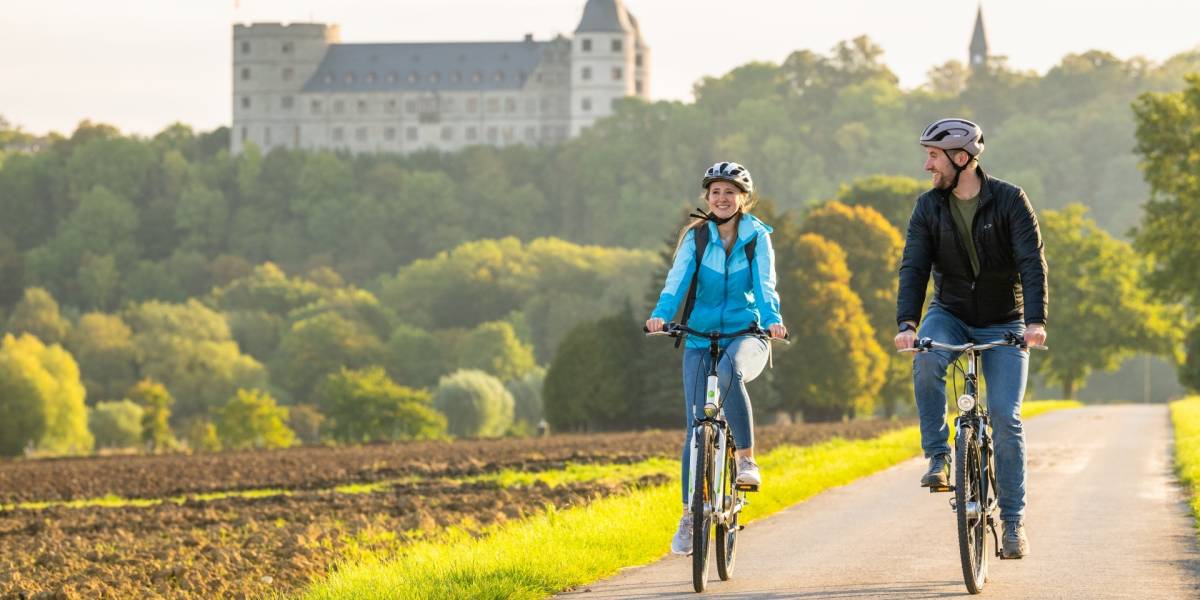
(41, 400)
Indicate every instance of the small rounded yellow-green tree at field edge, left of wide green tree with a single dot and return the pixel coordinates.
(251, 419)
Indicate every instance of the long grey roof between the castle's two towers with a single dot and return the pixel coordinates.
(437, 67)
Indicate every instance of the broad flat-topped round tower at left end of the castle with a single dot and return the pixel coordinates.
(272, 63)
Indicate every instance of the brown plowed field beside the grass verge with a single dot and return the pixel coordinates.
(235, 548)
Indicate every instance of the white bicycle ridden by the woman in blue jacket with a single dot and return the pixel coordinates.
(718, 499)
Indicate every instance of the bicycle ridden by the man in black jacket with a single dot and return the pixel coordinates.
(975, 501)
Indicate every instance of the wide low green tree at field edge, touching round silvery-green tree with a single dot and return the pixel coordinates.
(367, 406)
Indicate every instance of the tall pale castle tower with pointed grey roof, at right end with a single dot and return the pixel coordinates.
(604, 62)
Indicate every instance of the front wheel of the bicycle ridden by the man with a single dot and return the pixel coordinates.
(970, 509)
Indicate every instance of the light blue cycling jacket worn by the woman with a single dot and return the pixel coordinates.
(729, 298)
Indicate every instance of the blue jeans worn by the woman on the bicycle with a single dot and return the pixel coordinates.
(743, 361)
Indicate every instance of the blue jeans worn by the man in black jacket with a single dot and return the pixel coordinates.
(1005, 373)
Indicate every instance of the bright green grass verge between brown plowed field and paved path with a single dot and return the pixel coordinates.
(561, 550)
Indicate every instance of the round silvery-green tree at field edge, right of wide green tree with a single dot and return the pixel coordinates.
(476, 405)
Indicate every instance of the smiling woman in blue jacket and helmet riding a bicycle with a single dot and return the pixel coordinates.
(731, 295)
